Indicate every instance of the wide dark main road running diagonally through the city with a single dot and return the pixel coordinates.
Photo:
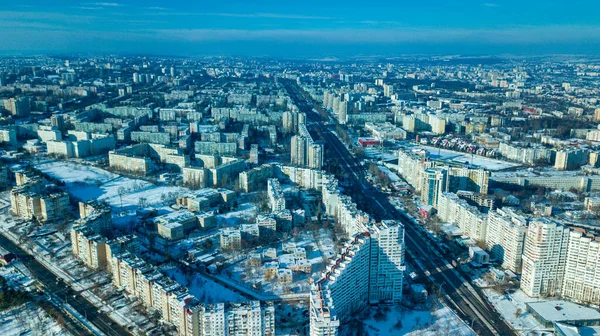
(422, 251)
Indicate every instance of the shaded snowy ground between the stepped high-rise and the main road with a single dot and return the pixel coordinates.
(440, 321)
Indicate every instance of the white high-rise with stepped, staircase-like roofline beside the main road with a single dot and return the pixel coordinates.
(369, 270)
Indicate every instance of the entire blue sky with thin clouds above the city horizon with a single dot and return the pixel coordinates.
(307, 28)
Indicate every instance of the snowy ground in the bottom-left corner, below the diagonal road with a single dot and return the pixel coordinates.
(29, 319)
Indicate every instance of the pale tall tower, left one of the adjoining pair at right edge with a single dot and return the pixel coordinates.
(544, 258)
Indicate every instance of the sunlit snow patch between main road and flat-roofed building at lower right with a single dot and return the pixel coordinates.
(513, 309)
